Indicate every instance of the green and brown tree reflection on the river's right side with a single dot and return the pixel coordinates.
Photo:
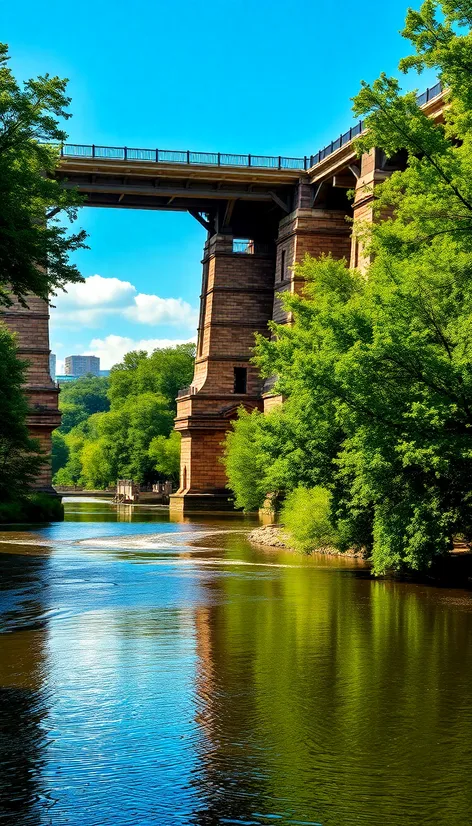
(324, 696)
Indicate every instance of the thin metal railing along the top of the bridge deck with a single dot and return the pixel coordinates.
(186, 157)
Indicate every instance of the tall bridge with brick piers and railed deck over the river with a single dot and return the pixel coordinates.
(262, 215)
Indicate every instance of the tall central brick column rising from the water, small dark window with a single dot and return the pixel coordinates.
(236, 302)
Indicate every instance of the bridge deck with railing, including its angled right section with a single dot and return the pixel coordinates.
(206, 182)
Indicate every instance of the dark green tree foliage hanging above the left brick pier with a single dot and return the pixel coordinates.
(33, 251)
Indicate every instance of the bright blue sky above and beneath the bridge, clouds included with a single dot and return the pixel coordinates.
(265, 77)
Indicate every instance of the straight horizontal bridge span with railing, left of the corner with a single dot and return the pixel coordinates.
(223, 188)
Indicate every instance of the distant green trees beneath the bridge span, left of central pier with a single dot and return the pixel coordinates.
(121, 427)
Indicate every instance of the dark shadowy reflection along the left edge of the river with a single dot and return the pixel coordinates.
(23, 696)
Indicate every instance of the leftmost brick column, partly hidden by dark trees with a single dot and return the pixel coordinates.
(31, 326)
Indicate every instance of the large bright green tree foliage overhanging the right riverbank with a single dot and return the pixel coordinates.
(377, 368)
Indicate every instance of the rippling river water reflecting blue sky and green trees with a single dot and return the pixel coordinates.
(154, 672)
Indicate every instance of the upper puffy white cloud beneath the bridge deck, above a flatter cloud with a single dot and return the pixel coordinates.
(90, 303)
